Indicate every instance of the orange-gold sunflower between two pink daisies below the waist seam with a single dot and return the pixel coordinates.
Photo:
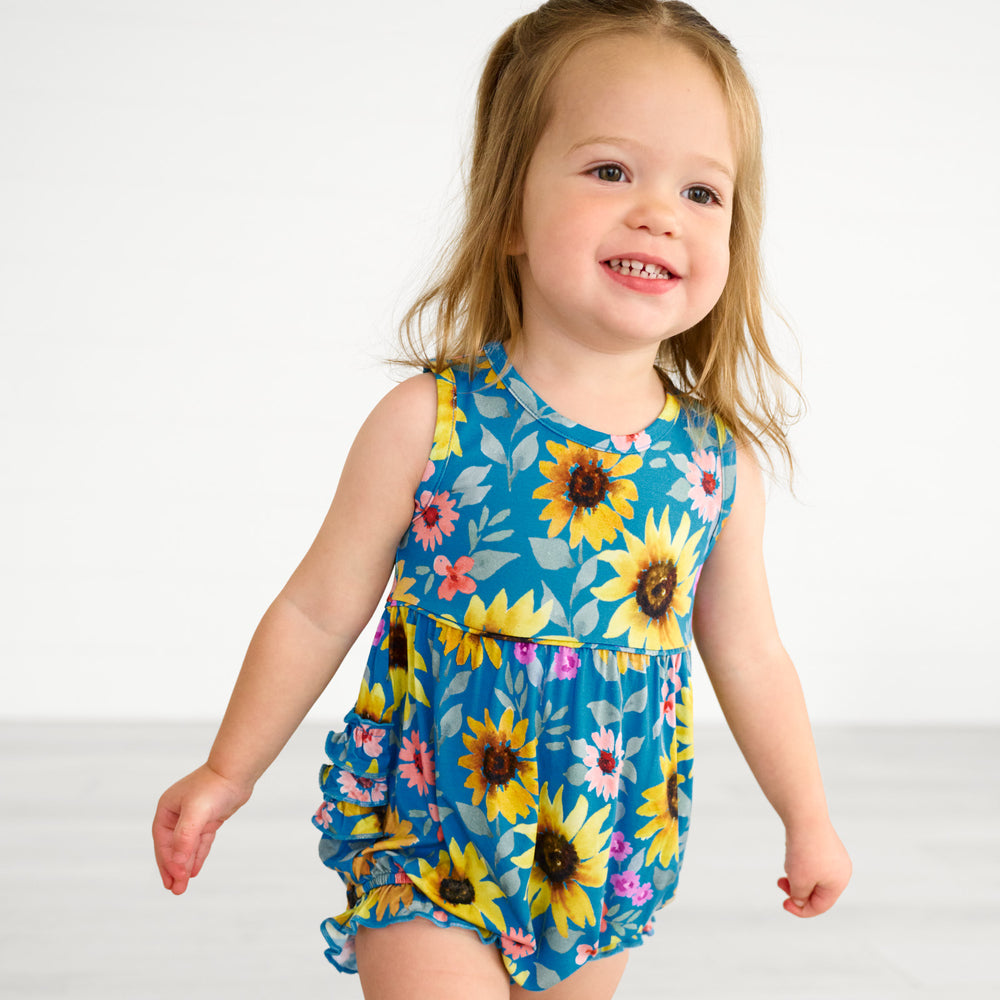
(501, 765)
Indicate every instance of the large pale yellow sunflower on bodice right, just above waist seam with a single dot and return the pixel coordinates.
(656, 576)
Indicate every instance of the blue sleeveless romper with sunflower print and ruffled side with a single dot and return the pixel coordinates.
(518, 761)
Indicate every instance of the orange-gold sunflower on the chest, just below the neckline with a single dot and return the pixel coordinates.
(585, 490)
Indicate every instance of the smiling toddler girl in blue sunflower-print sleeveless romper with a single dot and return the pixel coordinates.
(508, 802)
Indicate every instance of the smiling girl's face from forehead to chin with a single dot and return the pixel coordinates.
(635, 164)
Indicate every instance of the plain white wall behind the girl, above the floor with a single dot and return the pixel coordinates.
(212, 213)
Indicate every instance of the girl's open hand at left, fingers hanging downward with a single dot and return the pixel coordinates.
(187, 817)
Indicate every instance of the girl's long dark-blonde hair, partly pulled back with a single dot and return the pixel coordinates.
(724, 361)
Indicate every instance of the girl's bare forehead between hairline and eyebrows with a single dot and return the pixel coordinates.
(653, 92)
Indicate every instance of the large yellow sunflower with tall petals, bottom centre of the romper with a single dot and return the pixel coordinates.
(570, 855)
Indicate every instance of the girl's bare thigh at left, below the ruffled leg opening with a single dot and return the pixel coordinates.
(417, 960)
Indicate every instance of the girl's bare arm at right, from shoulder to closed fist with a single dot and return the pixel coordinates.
(761, 697)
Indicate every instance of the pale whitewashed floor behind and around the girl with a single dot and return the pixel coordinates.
(83, 914)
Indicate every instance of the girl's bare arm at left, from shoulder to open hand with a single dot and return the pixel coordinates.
(308, 629)
